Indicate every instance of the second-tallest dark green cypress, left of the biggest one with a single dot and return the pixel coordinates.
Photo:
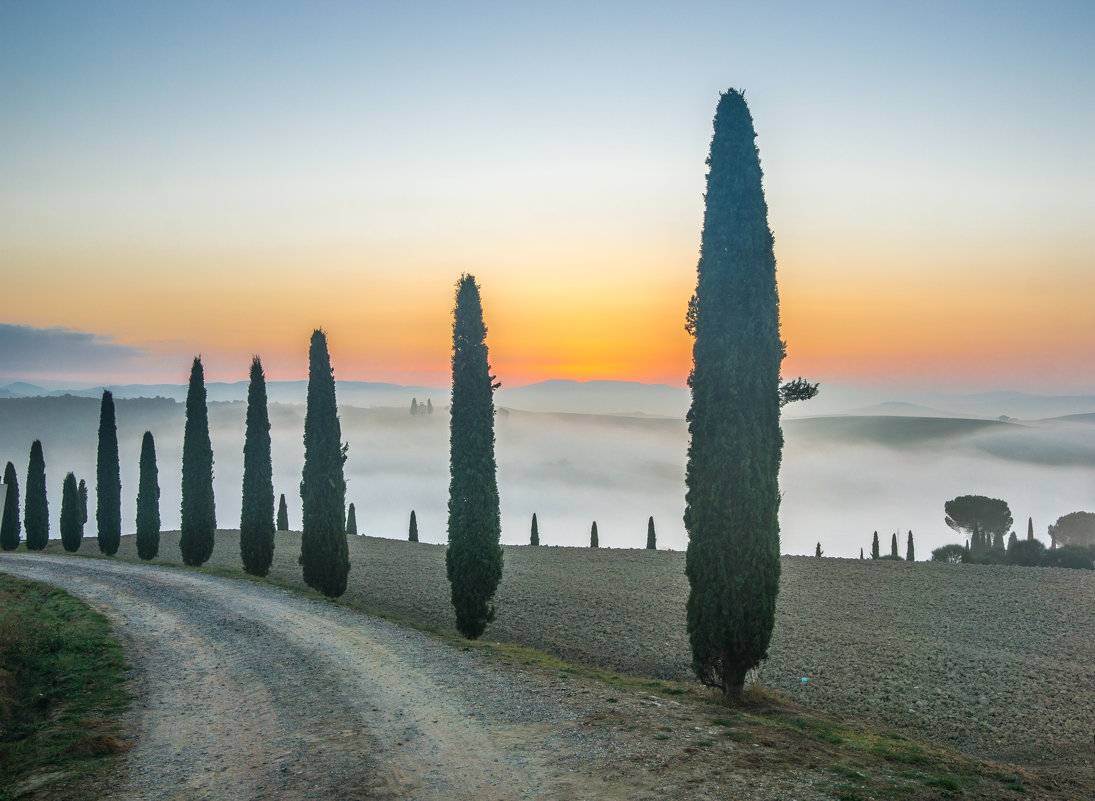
(474, 560)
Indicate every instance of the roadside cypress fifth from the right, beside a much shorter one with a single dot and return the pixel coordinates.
(199, 508)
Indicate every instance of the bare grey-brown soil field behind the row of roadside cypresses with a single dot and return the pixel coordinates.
(994, 660)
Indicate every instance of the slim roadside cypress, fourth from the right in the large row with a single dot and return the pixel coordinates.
(257, 513)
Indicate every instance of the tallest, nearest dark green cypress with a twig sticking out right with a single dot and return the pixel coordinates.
(733, 498)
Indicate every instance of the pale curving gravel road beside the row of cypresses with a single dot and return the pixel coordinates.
(247, 691)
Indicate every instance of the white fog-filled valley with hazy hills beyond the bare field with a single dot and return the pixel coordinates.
(843, 479)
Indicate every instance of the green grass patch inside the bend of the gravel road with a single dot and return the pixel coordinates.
(62, 687)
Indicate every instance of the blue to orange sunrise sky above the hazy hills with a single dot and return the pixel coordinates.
(222, 179)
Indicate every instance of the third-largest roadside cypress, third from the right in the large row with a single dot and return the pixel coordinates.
(324, 553)
